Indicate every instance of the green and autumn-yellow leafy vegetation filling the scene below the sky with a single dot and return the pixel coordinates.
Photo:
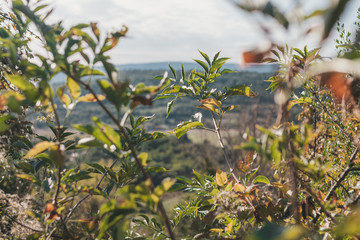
(254, 178)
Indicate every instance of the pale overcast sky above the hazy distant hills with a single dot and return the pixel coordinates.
(173, 30)
